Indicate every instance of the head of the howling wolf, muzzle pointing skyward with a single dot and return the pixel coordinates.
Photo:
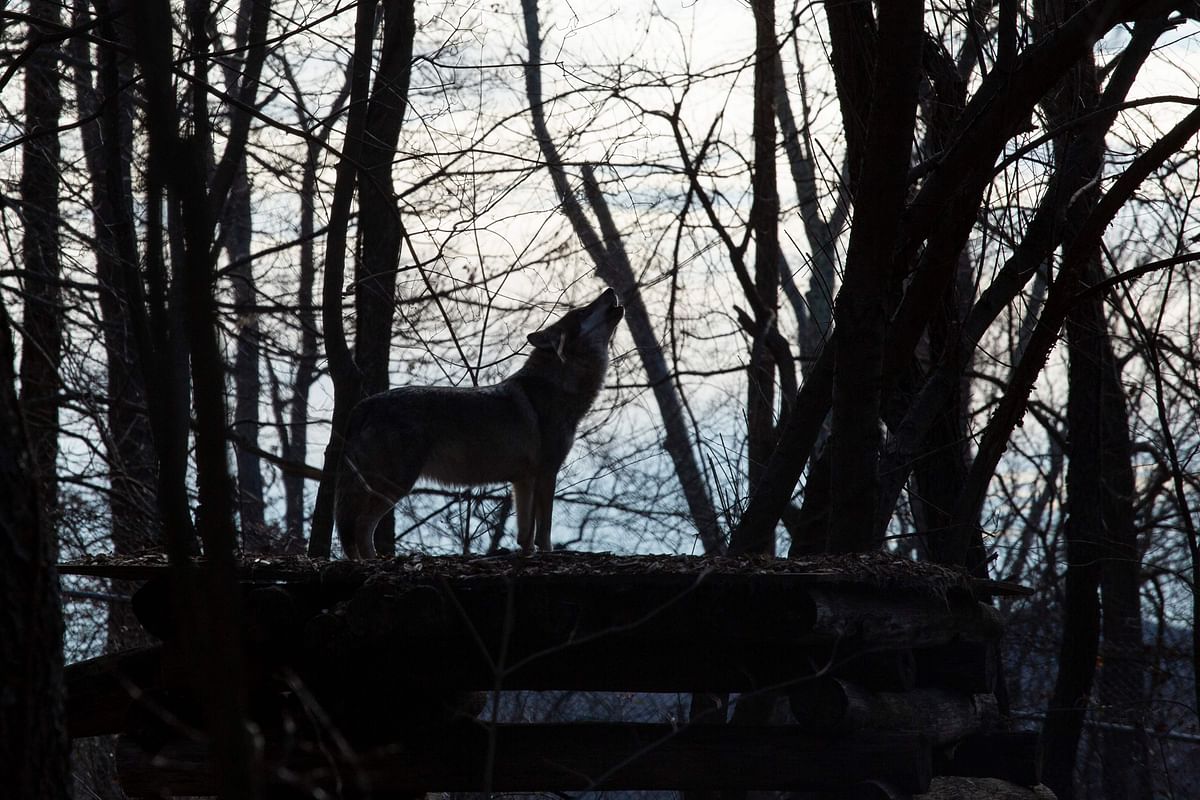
(579, 342)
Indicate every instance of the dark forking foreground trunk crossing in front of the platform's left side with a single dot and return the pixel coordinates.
(206, 599)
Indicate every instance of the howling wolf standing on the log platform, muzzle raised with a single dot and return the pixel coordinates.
(518, 431)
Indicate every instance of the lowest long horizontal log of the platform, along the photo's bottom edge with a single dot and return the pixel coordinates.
(568, 757)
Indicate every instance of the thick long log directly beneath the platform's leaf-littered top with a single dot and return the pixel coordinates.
(683, 634)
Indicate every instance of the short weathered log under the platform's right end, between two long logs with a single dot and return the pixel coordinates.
(831, 705)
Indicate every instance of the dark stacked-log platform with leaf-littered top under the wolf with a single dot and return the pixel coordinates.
(889, 664)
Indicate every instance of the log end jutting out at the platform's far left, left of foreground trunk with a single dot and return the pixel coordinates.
(103, 691)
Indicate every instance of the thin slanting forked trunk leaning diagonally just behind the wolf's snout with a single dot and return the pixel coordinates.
(614, 267)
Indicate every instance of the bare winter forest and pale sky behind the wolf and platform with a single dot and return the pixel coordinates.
(917, 276)
